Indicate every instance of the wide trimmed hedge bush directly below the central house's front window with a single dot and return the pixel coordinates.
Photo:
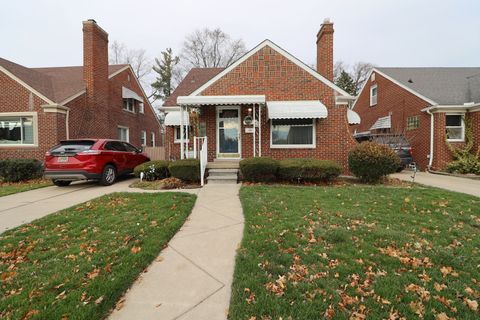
(308, 170)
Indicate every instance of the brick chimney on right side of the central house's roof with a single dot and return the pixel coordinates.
(325, 50)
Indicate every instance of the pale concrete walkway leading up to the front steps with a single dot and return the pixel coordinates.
(192, 277)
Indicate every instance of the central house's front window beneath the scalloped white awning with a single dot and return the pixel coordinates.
(292, 133)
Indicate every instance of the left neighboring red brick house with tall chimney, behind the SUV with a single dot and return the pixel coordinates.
(41, 106)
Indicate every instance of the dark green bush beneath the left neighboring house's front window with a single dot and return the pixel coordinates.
(14, 170)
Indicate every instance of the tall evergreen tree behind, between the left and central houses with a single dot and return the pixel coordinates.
(165, 68)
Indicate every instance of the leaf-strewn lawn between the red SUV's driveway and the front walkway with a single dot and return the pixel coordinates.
(77, 263)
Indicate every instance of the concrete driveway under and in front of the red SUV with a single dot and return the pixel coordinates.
(24, 207)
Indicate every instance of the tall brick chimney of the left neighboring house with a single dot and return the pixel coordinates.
(95, 62)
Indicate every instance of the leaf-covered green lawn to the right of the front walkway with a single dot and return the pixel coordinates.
(356, 252)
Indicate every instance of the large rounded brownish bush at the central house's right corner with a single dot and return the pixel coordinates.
(369, 161)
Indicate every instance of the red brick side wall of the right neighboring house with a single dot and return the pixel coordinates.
(393, 99)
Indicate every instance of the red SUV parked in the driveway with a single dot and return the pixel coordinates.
(91, 159)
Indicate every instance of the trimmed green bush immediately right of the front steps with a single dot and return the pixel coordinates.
(260, 169)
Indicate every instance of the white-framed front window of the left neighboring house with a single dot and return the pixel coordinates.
(16, 130)
